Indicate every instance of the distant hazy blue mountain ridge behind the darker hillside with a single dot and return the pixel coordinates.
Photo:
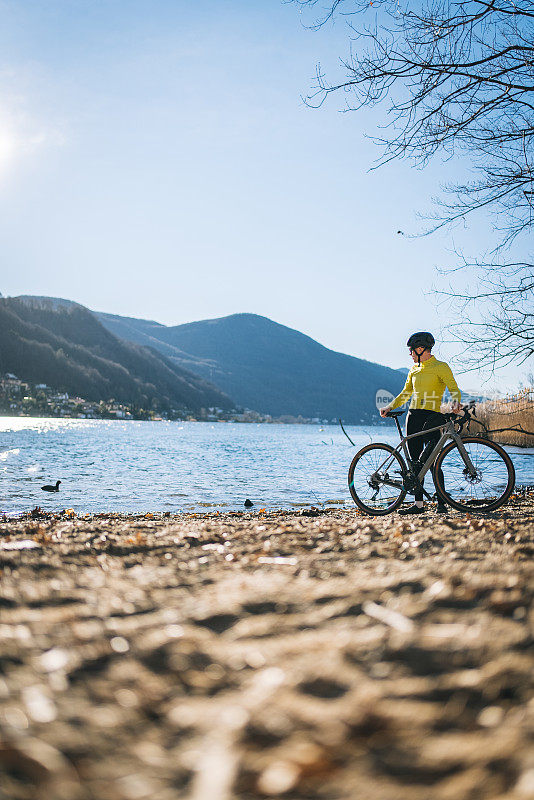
(268, 366)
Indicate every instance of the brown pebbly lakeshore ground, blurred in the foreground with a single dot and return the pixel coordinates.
(299, 655)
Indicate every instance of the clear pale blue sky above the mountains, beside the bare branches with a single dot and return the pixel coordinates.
(156, 160)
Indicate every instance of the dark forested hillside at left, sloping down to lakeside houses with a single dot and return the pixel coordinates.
(64, 345)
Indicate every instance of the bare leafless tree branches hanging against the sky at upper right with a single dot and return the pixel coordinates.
(457, 76)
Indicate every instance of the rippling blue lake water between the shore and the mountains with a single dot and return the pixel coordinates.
(182, 466)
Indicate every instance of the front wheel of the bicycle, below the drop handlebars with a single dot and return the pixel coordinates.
(488, 489)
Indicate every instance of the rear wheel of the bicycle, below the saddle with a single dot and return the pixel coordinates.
(376, 479)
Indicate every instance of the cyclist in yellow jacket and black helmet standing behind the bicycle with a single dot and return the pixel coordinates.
(425, 384)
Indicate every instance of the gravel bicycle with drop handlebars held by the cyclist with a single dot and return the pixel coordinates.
(476, 474)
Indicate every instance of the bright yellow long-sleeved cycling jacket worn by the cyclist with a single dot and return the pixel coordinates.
(426, 383)
